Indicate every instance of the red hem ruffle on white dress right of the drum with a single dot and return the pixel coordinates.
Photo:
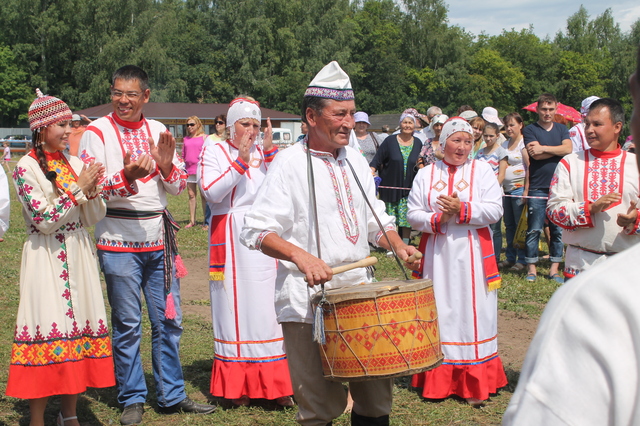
(465, 381)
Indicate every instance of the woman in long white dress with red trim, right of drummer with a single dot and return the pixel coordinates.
(453, 202)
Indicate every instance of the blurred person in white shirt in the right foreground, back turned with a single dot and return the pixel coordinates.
(582, 365)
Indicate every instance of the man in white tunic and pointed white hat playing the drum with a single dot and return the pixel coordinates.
(282, 224)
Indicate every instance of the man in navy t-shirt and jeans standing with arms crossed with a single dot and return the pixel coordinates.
(546, 142)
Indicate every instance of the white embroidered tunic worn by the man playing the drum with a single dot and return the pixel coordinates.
(346, 224)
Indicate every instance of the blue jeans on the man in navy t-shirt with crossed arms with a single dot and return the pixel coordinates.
(537, 214)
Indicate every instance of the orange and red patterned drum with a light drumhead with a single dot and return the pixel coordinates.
(379, 330)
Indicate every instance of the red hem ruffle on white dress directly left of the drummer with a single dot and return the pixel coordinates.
(263, 380)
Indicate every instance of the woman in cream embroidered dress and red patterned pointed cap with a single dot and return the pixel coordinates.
(61, 343)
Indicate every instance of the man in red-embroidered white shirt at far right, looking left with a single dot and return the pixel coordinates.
(594, 193)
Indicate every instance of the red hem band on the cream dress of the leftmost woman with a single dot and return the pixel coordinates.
(67, 378)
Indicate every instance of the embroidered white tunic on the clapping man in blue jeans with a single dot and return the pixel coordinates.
(107, 140)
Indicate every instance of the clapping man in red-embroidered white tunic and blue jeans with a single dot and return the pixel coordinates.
(134, 243)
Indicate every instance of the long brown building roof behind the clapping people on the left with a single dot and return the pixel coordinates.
(181, 111)
